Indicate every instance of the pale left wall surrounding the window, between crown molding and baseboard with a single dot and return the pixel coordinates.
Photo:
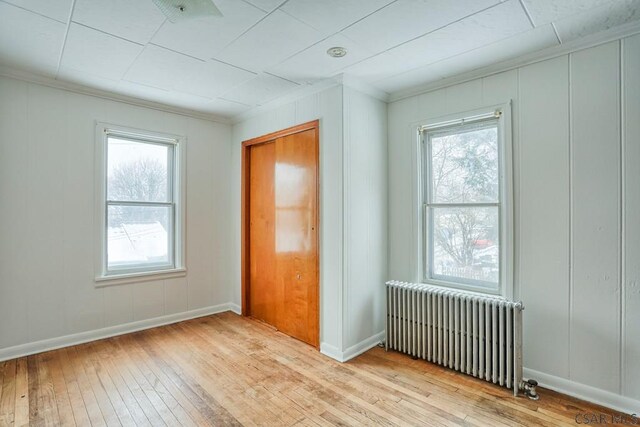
(47, 217)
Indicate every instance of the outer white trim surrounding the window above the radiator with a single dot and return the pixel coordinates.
(506, 258)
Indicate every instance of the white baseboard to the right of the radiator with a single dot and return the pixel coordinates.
(585, 392)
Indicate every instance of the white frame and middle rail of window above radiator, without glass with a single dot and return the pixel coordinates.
(502, 114)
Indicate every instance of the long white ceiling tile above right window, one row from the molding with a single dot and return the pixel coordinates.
(491, 25)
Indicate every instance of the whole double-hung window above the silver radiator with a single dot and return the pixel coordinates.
(465, 218)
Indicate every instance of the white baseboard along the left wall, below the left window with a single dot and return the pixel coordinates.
(112, 331)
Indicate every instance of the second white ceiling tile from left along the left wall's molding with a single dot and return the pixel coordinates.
(98, 54)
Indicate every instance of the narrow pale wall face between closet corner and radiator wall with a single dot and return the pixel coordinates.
(365, 218)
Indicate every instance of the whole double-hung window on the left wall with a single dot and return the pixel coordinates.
(140, 210)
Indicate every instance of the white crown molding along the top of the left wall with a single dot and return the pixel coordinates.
(111, 96)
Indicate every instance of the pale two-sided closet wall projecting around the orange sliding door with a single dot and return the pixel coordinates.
(353, 205)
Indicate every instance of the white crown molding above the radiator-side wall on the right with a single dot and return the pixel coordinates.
(606, 36)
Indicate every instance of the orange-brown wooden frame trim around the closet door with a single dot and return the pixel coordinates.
(244, 198)
